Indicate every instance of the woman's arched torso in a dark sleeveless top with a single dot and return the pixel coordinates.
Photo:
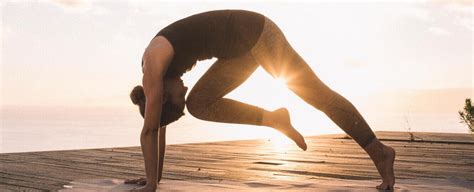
(221, 34)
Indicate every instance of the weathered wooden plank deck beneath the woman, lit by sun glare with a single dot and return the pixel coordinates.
(431, 156)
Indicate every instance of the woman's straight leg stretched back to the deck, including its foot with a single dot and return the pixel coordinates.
(279, 59)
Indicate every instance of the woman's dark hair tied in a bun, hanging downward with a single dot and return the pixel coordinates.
(169, 113)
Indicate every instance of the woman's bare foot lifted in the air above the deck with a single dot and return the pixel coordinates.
(280, 120)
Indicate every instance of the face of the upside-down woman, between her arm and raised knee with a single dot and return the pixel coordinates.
(176, 91)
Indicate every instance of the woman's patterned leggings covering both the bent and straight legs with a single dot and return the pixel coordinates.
(273, 52)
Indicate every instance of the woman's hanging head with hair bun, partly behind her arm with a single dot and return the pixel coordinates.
(173, 97)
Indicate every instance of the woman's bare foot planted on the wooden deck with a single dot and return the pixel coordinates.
(383, 157)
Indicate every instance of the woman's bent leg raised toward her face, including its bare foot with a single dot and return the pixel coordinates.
(206, 100)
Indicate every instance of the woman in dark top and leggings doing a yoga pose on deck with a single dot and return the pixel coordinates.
(241, 41)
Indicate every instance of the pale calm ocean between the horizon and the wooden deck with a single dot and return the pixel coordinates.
(29, 129)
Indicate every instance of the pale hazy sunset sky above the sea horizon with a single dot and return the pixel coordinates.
(88, 53)
